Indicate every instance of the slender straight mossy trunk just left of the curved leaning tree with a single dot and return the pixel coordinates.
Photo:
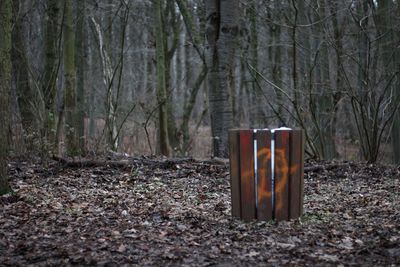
(161, 82)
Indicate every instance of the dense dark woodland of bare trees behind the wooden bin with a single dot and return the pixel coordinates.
(171, 77)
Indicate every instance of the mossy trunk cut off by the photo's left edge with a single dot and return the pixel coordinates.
(5, 89)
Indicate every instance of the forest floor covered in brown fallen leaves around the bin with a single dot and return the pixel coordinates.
(156, 212)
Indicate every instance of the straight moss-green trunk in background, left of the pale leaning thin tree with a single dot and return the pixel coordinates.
(71, 127)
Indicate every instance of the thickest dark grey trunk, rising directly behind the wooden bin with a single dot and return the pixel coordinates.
(221, 31)
